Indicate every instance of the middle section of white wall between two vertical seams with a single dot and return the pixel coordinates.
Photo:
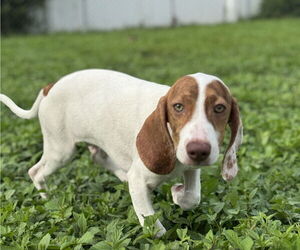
(116, 14)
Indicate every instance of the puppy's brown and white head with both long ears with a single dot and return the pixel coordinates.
(189, 124)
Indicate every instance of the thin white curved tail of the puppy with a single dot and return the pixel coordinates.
(25, 114)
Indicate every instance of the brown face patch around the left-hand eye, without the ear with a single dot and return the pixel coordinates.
(185, 91)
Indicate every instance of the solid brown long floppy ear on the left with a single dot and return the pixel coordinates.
(154, 143)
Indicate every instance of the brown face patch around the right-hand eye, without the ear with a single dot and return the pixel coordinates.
(216, 93)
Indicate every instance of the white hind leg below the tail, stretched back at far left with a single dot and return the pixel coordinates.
(56, 154)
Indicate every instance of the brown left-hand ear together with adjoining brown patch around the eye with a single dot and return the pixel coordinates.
(155, 146)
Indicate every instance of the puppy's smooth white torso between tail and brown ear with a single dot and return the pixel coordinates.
(101, 107)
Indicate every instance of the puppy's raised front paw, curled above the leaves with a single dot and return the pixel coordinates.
(185, 199)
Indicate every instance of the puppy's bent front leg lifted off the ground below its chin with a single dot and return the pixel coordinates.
(188, 196)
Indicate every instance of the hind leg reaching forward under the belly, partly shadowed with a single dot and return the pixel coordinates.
(100, 157)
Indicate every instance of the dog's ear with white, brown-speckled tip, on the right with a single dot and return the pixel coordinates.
(230, 167)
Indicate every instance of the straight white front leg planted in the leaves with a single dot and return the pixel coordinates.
(140, 196)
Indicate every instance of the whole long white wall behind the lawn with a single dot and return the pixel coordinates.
(74, 15)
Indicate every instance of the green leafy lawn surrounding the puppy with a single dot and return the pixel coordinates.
(90, 209)
